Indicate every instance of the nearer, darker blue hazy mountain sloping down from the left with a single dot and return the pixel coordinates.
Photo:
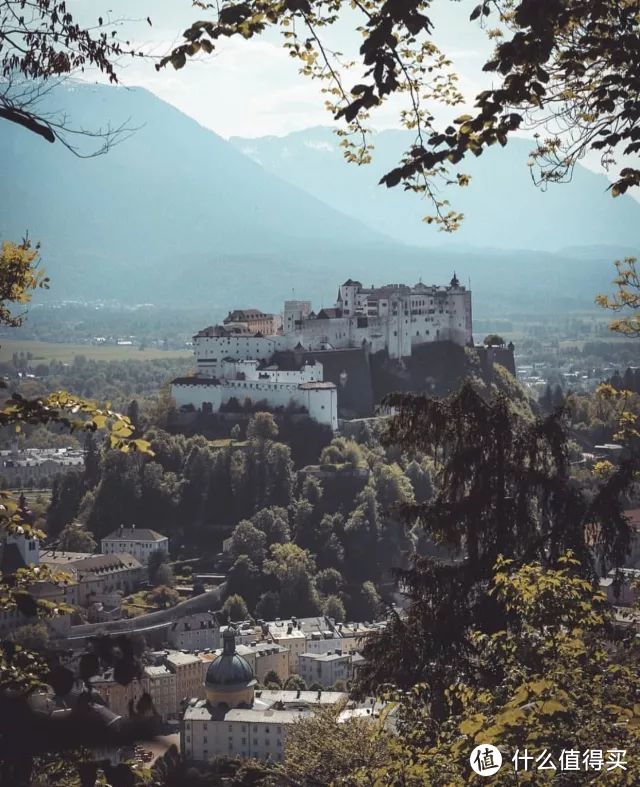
(171, 190)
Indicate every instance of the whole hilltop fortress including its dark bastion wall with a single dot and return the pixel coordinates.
(337, 362)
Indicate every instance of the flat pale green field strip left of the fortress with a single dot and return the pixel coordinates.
(50, 351)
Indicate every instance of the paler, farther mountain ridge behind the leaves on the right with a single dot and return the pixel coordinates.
(502, 206)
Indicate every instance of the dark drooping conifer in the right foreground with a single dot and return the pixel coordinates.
(504, 489)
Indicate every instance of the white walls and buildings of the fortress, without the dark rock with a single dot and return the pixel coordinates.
(232, 360)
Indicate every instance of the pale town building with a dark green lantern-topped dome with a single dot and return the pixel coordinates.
(236, 720)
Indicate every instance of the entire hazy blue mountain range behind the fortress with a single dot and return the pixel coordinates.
(176, 213)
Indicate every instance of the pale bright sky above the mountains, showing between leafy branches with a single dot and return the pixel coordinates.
(252, 88)
